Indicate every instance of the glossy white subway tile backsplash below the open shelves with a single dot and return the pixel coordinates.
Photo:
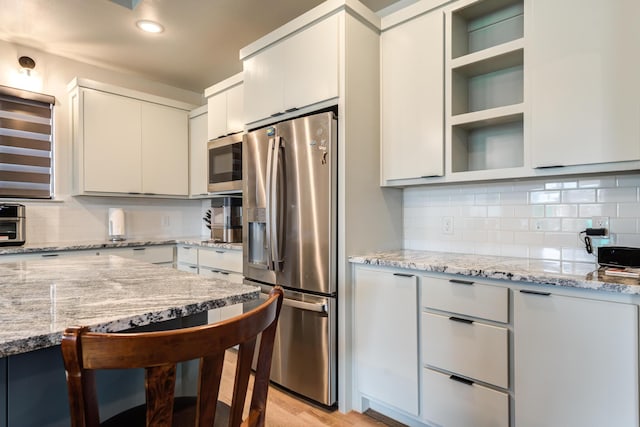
(536, 218)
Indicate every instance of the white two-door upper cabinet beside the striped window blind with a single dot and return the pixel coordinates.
(127, 142)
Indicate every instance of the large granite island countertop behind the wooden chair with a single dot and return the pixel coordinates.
(39, 298)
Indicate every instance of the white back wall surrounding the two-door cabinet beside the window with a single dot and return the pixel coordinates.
(72, 219)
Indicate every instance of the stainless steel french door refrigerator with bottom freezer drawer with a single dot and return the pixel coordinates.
(289, 239)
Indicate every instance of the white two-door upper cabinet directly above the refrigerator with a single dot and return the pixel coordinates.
(292, 73)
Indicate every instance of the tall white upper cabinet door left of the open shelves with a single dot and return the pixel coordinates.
(412, 99)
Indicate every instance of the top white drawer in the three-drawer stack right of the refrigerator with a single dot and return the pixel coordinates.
(466, 297)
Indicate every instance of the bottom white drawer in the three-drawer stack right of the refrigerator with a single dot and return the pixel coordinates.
(447, 402)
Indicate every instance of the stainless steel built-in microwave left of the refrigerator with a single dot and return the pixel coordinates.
(225, 164)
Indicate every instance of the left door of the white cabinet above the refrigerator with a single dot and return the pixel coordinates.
(263, 83)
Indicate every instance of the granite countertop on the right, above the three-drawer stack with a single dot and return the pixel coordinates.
(567, 274)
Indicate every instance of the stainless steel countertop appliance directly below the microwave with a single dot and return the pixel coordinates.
(225, 219)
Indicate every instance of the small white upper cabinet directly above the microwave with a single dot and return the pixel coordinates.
(225, 107)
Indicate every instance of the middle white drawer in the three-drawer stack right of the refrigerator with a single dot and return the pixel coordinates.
(471, 349)
